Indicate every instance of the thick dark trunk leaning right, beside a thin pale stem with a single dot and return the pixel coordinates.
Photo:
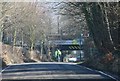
(97, 21)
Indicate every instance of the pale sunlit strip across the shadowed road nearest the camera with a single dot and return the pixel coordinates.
(57, 76)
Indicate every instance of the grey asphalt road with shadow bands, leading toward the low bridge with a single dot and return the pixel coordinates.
(50, 71)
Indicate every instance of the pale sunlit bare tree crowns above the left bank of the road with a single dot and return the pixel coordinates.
(24, 23)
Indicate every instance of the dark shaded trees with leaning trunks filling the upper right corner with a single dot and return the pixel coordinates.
(98, 16)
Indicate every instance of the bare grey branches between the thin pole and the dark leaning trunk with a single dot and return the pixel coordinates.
(72, 20)
